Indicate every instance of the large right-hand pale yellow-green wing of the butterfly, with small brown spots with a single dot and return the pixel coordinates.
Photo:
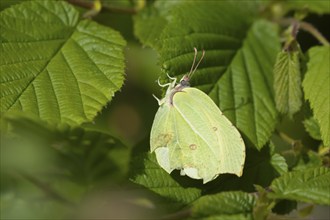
(211, 145)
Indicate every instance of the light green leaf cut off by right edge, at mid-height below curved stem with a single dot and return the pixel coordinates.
(316, 88)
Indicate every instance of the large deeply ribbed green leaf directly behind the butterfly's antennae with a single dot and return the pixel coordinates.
(239, 56)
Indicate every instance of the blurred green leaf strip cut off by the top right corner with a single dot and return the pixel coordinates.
(316, 6)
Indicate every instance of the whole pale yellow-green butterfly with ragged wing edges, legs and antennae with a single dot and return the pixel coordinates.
(191, 134)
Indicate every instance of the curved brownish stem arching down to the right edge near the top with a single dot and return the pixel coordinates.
(308, 28)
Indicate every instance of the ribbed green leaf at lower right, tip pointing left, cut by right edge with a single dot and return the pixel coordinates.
(311, 186)
